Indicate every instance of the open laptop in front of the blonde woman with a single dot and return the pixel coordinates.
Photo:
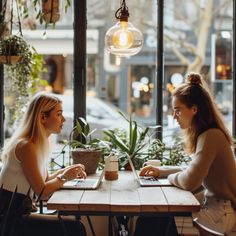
(90, 183)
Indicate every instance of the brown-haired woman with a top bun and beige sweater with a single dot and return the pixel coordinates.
(209, 144)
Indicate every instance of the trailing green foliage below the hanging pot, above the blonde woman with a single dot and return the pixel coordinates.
(18, 90)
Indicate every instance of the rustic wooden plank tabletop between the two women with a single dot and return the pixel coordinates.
(124, 197)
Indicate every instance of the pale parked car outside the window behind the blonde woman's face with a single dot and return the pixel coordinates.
(99, 114)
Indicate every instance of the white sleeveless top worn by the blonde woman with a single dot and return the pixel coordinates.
(12, 174)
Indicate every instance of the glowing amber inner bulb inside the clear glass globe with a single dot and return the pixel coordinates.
(123, 38)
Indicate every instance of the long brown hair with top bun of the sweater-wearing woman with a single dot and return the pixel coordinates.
(195, 92)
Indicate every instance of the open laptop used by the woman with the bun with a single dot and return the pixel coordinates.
(148, 181)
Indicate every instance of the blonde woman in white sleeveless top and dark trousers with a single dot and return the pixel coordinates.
(25, 169)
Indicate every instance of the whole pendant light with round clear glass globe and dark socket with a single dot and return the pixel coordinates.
(123, 39)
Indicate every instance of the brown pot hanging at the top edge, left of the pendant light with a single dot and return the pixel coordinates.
(51, 10)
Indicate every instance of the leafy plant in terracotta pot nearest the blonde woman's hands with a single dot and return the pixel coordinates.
(85, 149)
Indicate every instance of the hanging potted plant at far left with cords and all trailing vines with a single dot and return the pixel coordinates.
(22, 76)
